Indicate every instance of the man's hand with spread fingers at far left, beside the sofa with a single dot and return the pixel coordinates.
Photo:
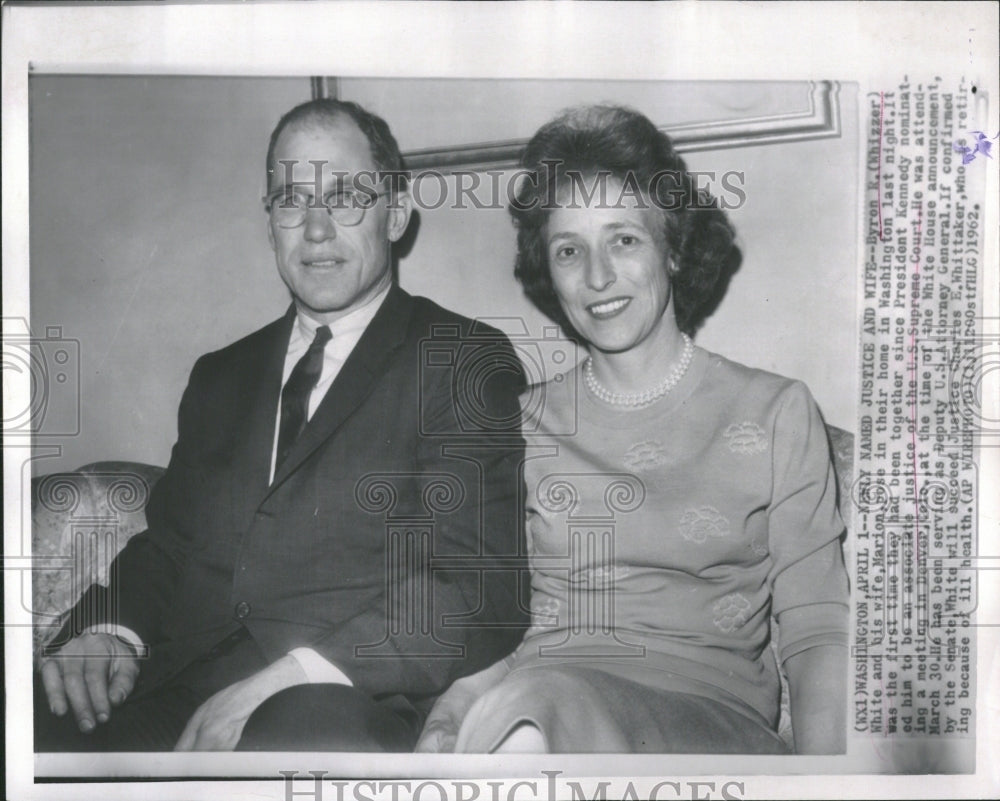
(89, 675)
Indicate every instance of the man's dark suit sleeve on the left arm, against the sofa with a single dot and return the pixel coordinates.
(142, 577)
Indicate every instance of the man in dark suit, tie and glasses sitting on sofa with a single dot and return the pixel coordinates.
(337, 536)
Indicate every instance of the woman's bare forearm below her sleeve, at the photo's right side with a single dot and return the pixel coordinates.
(817, 683)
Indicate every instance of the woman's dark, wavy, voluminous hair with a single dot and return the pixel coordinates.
(612, 141)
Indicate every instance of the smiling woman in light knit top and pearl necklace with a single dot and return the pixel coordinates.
(676, 500)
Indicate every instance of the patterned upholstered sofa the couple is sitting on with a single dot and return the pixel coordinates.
(82, 518)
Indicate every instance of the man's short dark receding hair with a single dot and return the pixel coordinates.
(324, 111)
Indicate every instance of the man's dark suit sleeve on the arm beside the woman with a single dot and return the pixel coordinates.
(458, 613)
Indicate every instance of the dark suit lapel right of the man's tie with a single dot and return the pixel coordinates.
(354, 382)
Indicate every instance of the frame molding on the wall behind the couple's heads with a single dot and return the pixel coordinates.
(820, 120)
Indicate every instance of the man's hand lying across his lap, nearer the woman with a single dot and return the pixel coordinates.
(217, 724)
